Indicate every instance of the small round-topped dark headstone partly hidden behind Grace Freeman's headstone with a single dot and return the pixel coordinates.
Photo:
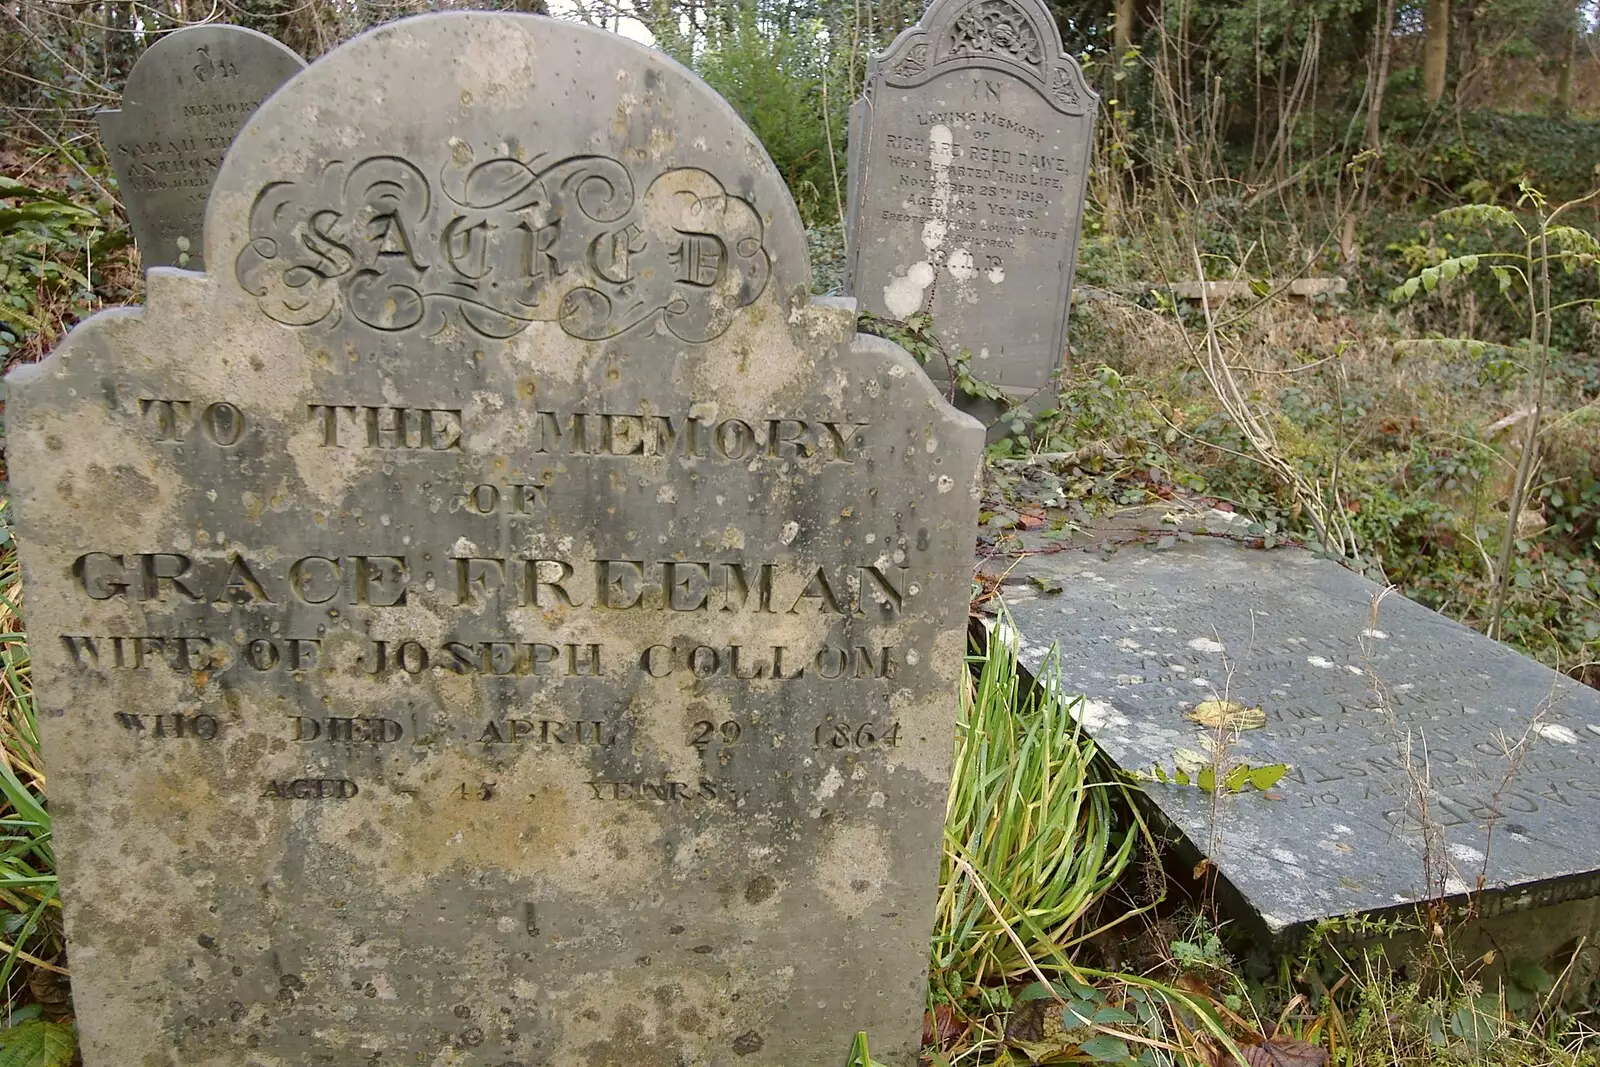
(186, 98)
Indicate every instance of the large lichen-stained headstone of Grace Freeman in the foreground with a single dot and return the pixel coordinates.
(494, 618)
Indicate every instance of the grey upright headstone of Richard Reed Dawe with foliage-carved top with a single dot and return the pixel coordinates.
(969, 153)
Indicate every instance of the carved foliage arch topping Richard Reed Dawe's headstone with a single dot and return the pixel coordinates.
(1014, 36)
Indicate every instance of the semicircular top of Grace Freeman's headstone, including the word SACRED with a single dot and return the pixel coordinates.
(410, 182)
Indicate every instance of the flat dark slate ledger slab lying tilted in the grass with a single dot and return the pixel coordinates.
(1508, 748)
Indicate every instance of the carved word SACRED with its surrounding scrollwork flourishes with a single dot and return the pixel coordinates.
(503, 246)
